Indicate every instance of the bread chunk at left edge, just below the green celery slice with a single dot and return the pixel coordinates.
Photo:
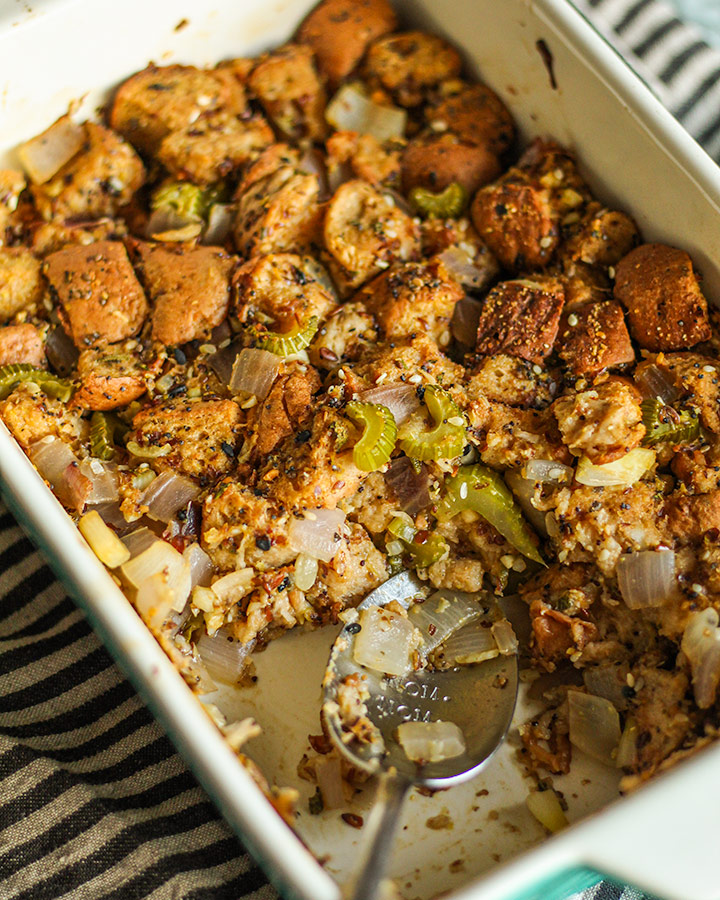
(31, 415)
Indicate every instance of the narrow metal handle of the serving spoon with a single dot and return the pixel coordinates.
(367, 881)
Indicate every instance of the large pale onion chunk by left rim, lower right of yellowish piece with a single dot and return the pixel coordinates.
(163, 560)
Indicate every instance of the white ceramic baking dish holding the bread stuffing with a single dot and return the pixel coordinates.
(663, 838)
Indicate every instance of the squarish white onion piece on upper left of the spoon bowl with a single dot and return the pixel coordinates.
(385, 641)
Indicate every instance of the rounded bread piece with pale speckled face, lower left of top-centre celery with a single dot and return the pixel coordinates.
(365, 232)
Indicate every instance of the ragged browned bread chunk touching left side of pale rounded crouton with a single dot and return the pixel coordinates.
(510, 436)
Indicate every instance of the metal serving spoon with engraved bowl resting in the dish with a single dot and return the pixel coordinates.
(479, 699)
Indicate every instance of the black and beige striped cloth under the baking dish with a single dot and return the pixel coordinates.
(94, 802)
